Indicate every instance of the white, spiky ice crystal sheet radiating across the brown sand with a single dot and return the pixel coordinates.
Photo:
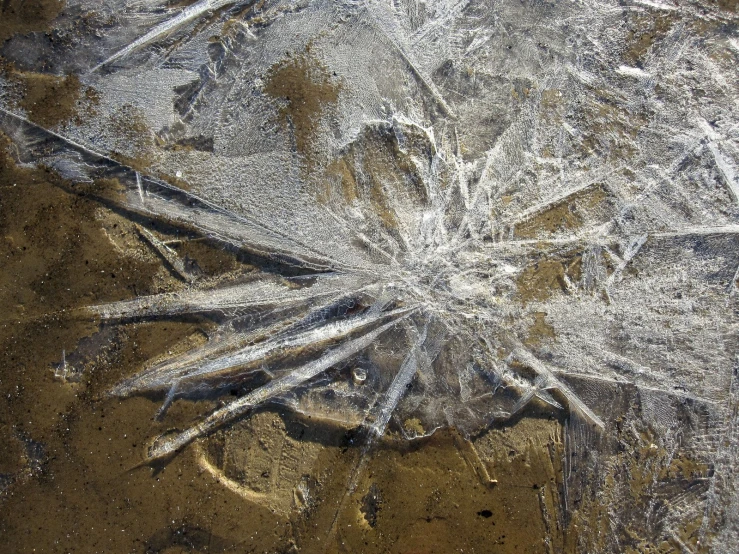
(488, 206)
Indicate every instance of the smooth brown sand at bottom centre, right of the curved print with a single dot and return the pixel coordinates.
(432, 501)
